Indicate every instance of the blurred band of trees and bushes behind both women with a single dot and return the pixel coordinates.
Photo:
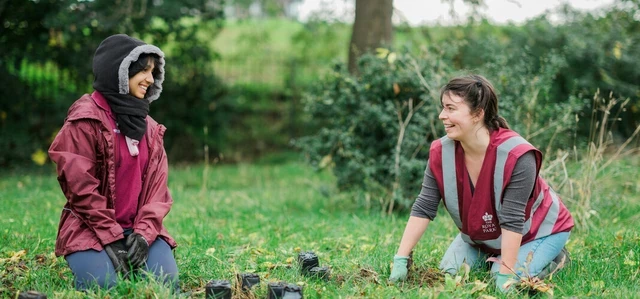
(247, 79)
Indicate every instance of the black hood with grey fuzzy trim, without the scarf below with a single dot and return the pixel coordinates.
(112, 60)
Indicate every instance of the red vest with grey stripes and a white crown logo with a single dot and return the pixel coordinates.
(477, 215)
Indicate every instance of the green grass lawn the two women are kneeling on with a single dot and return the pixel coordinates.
(256, 218)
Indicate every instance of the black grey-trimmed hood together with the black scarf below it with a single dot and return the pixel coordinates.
(111, 64)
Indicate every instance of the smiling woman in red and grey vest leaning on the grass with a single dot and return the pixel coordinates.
(488, 179)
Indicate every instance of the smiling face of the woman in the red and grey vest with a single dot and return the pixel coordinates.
(459, 122)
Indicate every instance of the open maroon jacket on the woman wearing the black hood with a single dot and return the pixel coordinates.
(84, 153)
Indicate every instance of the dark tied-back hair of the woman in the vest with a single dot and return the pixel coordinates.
(478, 93)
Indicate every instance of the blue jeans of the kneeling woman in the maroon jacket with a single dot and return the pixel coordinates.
(91, 268)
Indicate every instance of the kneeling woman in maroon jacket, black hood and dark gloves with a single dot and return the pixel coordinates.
(112, 168)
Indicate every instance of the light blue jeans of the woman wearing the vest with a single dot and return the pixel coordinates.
(544, 251)
